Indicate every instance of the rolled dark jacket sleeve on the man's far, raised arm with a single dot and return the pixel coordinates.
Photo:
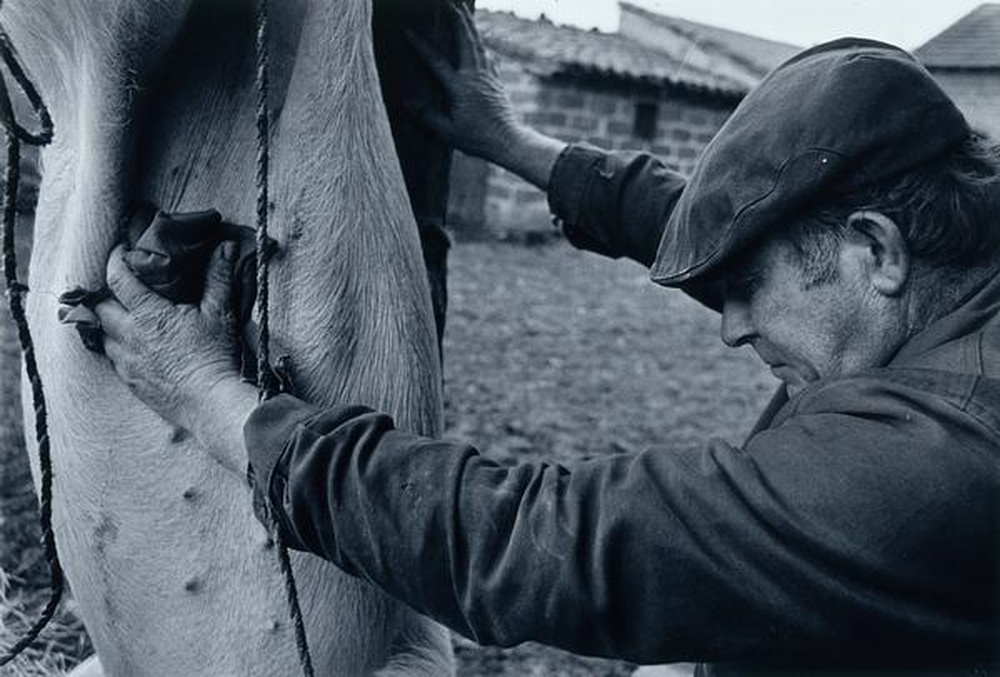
(613, 203)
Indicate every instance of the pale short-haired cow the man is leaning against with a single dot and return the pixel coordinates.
(153, 100)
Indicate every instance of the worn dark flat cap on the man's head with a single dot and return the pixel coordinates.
(840, 116)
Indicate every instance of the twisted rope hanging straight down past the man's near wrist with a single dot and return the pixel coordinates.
(265, 376)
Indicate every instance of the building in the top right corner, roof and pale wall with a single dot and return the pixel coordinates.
(965, 59)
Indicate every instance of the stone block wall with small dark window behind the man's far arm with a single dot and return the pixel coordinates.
(600, 112)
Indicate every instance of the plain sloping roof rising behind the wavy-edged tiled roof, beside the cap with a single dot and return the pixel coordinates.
(757, 55)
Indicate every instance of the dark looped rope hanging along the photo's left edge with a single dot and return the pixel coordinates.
(14, 134)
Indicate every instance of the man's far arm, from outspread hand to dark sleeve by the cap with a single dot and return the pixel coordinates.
(612, 203)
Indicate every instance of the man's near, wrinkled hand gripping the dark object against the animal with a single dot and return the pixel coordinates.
(176, 358)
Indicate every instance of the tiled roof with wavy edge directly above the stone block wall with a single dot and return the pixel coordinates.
(563, 50)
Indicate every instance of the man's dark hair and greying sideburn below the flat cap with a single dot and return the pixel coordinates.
(948, 211)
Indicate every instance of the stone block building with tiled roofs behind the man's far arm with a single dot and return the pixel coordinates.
(663, 85)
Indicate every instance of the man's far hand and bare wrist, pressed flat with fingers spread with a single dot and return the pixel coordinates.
(479, 119)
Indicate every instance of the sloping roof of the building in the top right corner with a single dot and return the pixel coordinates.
(971, 42)
